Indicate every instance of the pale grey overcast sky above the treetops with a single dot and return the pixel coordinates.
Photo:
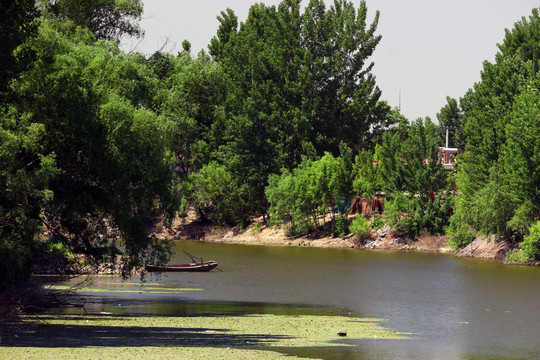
(430, 49)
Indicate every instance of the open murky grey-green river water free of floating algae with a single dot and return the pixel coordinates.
(456, 308)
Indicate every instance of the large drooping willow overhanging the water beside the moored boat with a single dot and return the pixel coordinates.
(107, 154)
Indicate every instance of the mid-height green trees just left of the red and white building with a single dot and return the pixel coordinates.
(406, 162)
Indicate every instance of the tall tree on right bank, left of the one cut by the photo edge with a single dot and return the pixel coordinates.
(485, 198)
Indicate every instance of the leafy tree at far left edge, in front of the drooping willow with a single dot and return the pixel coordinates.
(25, 173)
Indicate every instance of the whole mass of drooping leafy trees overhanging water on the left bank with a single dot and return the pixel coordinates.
(82, 154)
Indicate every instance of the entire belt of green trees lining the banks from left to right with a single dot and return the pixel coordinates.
(282, 118)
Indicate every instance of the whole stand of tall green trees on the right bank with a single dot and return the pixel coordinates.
(498, 178)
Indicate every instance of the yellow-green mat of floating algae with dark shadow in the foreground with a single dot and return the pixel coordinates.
(161, 337)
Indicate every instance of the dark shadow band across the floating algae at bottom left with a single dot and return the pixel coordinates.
(37, 333)
